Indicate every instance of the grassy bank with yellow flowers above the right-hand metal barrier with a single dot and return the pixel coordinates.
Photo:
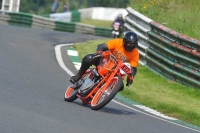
(182, 16)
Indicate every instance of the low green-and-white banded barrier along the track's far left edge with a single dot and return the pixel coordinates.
(29, 20)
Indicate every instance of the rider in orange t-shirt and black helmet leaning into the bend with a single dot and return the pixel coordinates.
(123, 48)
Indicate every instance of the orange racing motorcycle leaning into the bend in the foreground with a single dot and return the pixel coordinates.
(99, 85)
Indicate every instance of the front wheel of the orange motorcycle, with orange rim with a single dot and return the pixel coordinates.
(101, 98)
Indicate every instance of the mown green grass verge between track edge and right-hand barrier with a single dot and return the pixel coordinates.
(154, 91)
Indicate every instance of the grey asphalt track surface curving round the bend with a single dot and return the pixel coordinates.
(32, 86)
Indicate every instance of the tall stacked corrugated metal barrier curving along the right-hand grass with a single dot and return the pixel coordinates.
(165, 51)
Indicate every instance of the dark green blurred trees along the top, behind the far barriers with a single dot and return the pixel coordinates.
(44, 6)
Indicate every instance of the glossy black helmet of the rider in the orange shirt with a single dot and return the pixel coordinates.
(130, 41)
